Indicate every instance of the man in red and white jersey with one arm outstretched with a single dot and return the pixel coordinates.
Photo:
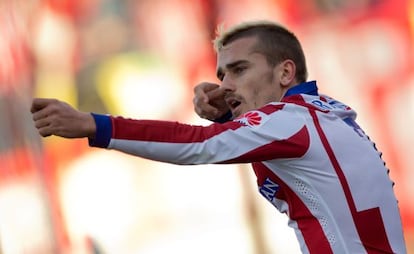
(312, 161)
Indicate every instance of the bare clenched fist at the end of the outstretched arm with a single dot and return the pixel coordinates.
(53, 117)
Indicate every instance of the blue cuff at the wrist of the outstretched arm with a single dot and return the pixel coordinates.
(103, 131)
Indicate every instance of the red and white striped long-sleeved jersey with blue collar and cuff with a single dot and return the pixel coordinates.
(311, 159)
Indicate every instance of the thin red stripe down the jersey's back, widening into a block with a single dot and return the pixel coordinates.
(368, 222)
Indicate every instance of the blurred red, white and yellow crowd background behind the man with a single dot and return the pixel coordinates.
(141, 59)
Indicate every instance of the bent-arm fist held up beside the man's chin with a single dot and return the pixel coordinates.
(209, 101)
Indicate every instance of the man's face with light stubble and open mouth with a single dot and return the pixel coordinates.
(249, 81)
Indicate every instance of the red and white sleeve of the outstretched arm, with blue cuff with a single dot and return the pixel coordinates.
(231, 142)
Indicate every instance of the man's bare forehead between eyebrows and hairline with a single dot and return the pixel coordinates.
(236, 50)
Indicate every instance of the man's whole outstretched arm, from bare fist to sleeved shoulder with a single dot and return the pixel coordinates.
(172, 142)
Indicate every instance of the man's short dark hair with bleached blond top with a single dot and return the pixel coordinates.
(274, 41)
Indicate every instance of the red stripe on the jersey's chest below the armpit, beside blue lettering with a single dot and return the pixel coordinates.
(308, 224)
